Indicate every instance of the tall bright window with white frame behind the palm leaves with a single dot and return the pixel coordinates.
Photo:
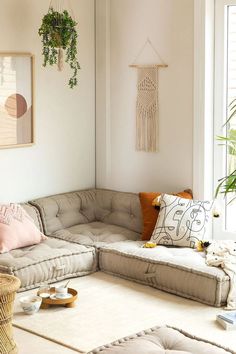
(225, 93)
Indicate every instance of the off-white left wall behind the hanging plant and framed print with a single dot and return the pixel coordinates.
(63, 156)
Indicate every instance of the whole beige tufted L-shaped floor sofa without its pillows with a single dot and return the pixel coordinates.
(100, 229)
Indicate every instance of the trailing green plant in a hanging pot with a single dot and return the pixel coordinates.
(58, 31)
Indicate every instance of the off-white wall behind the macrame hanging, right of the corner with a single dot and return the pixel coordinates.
(169, 25)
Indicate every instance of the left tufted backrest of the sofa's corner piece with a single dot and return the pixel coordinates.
(65, 210)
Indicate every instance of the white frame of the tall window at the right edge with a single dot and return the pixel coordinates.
(220, 111)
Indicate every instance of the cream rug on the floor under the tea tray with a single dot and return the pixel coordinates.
(109, 308)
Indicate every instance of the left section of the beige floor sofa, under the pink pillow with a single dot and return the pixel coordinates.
(50, 261)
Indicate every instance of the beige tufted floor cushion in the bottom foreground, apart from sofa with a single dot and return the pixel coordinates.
(161, 340)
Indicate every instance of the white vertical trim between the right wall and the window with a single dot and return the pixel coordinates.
(203, 99)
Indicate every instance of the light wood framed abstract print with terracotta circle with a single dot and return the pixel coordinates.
(16, 100)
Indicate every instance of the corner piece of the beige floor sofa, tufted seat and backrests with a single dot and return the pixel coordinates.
(92, 217)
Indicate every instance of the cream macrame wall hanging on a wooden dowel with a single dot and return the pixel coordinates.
(147, 102)
